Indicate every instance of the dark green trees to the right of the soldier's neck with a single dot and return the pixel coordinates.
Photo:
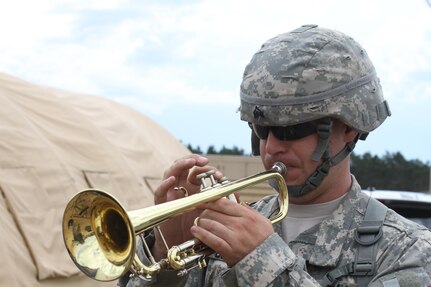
(392, 171)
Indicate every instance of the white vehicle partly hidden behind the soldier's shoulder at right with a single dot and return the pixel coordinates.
(415, 206)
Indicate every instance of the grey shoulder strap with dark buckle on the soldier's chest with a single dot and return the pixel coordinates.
(366, 235)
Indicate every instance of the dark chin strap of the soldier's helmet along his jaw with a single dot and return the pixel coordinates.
(321, 152)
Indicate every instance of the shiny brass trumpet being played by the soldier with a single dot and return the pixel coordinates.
(101, 236)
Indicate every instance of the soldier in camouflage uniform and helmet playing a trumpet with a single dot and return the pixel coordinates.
(308, 95)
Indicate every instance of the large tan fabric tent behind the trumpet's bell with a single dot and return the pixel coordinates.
(54, 144)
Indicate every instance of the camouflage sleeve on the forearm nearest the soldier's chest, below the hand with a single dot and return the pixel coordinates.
(271, 264)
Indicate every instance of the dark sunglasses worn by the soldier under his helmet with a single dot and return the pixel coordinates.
(285, 133)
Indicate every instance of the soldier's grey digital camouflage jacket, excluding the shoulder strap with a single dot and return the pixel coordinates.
(403, 254)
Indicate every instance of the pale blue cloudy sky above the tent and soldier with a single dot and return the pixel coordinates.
(181, 62)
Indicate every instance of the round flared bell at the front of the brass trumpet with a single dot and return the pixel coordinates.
(98, 235)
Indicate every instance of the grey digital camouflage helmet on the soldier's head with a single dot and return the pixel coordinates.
(312, 73)
